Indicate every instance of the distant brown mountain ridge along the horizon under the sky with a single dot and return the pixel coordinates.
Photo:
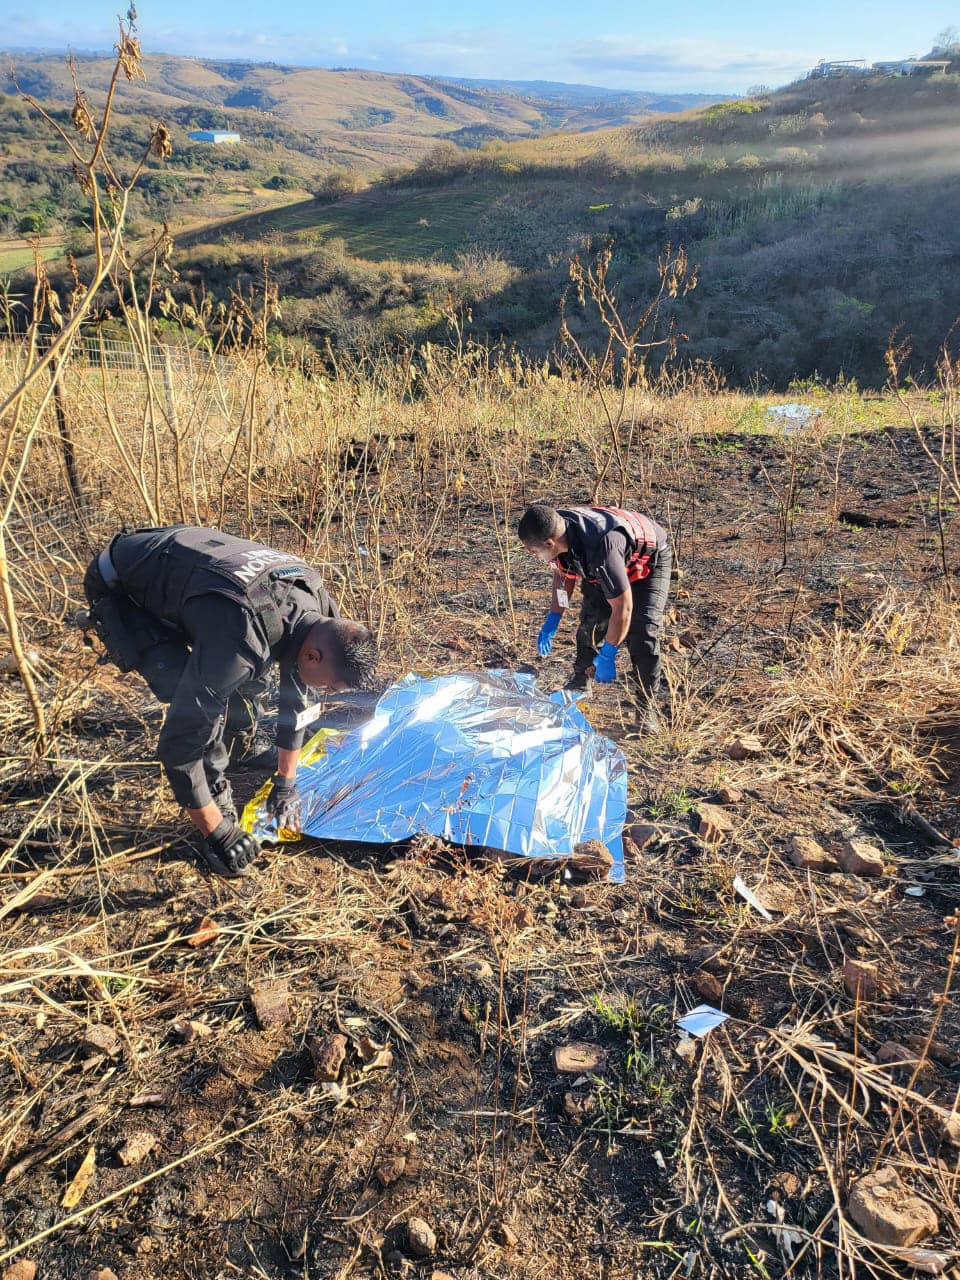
(363, 118)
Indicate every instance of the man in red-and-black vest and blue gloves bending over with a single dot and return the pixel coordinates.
(624, 561)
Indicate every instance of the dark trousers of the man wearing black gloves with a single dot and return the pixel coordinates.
(139, 642)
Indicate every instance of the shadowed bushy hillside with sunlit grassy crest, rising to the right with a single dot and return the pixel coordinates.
(822, 218)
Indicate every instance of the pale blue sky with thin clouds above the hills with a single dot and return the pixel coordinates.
(687, 47)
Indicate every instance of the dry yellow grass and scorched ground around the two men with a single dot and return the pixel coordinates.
(276, 1173)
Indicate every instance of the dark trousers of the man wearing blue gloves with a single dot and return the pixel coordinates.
(643, 639)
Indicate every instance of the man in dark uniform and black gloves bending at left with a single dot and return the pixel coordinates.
(203, 616)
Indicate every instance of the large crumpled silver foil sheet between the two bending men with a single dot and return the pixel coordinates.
(473, 758)
